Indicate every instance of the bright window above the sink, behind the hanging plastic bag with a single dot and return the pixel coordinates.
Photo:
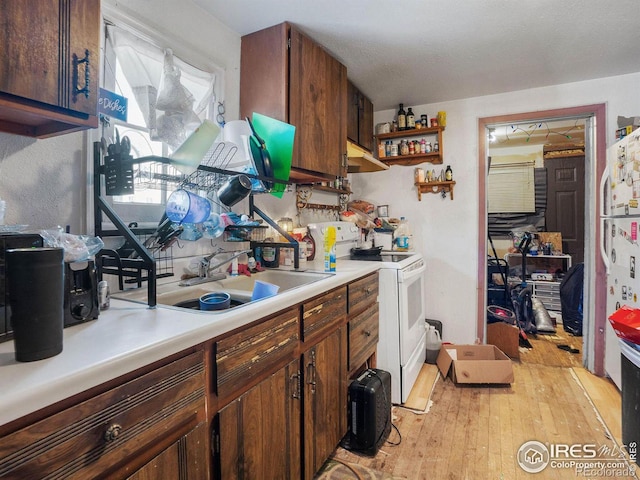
(167, 100)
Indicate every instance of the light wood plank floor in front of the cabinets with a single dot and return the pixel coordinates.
(475, 432)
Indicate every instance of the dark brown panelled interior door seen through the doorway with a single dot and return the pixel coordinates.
(565, 203)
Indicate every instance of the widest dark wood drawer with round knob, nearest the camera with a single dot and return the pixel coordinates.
(125, 425)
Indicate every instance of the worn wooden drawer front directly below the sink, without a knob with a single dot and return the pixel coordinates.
(254, 351)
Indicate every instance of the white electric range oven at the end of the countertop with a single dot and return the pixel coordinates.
(402, 345)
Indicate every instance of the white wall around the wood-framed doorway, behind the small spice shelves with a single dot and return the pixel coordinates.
(446, 231)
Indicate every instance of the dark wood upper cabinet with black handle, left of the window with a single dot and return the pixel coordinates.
(49, 66)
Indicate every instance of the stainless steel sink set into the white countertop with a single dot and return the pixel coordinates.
(240, 288)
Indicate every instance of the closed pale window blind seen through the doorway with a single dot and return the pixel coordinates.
(511, 184)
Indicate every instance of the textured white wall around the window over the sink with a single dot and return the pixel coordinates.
(44, 181)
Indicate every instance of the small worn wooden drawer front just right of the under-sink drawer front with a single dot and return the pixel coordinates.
(324, 314)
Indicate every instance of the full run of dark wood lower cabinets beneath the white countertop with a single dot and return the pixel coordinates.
(284, 404)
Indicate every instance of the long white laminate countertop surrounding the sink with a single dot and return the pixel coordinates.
(130, 335)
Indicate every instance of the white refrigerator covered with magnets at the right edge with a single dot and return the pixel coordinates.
(620, 216)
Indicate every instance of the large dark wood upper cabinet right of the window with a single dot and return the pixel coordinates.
(286, 75)
